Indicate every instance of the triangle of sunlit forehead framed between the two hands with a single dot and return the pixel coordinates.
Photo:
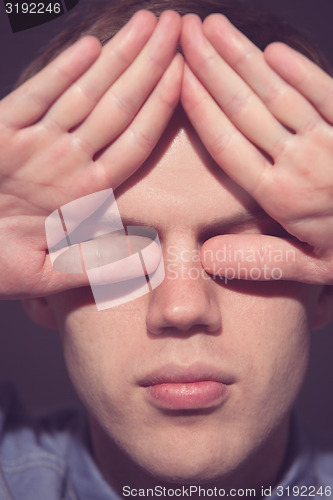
(180, 186)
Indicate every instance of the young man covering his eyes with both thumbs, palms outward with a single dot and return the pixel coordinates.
(193, 383)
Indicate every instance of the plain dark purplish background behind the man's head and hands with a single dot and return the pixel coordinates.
(30, 356)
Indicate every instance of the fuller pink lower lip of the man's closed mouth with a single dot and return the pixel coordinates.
(187, 396)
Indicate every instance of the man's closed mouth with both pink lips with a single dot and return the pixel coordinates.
(196, 387)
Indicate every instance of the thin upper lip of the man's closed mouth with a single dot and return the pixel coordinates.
(173, 374)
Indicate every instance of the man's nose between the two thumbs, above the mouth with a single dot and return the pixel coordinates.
(186, 300)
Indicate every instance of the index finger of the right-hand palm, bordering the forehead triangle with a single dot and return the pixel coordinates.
(221, 138)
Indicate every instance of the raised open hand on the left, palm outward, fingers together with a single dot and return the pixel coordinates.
(85, 123)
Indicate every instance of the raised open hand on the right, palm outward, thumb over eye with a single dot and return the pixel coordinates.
(266, 119)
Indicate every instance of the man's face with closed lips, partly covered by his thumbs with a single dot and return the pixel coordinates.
(244, 343)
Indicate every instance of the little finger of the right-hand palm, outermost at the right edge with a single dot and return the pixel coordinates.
(304, 75)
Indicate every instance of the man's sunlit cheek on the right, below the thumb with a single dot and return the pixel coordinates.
(266, 330)
